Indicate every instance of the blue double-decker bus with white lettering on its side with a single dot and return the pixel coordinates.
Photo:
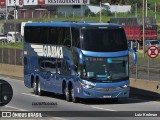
(78, 60)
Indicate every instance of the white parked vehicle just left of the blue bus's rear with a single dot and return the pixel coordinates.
(13, 37)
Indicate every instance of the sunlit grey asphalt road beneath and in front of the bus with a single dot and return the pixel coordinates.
(24, 100)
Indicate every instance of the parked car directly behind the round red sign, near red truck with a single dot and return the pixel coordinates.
(149, 43)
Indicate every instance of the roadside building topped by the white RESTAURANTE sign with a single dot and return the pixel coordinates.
(47, 8)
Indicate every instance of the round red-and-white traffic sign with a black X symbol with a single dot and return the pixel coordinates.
(153, 52)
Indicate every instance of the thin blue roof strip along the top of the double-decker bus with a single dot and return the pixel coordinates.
(75, 24)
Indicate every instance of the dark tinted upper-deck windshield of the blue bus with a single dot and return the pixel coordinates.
(103, 39)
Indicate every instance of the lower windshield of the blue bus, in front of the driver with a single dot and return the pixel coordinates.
(105, 69)
